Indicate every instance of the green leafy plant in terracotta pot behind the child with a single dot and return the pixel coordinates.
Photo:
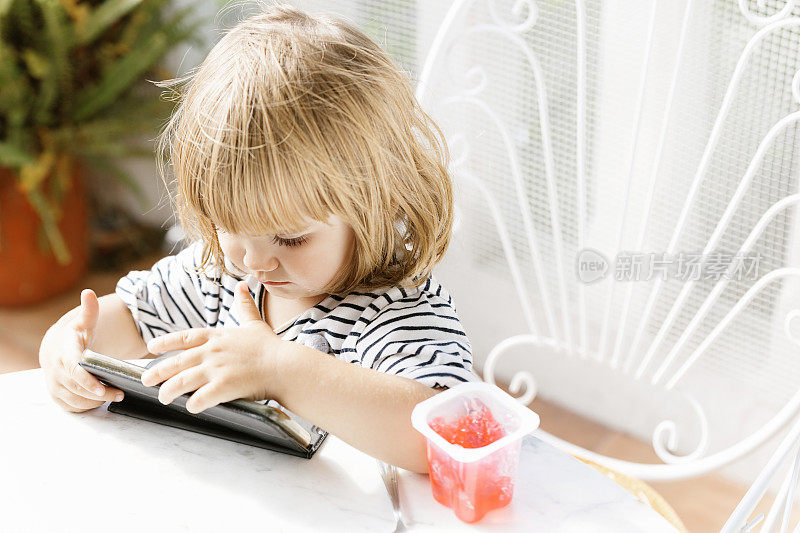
(72, 96)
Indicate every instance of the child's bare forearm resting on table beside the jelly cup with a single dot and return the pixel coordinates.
(369, 410)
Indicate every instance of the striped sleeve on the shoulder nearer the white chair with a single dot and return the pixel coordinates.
(420, 339)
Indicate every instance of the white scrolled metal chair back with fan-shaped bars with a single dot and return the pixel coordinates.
(629, 169)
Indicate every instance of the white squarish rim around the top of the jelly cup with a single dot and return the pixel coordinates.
(516, 419)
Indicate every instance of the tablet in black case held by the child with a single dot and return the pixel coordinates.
(267, 425)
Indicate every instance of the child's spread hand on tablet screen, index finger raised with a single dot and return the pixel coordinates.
(221, 364)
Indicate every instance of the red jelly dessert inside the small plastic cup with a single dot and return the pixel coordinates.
(472, 489)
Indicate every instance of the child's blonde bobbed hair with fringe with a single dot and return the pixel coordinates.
(293, 117)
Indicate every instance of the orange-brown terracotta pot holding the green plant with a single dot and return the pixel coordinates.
(27, 274)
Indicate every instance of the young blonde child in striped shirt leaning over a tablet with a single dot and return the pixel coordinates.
(314, 193)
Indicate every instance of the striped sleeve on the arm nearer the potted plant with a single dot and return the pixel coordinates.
(166, 298)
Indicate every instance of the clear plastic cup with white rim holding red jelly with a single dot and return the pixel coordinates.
(473, 481)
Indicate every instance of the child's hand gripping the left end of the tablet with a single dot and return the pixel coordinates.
(69, 384)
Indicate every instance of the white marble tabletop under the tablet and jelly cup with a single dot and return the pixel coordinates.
(101, 471)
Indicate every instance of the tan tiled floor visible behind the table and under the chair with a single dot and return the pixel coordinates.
(703, 503)
